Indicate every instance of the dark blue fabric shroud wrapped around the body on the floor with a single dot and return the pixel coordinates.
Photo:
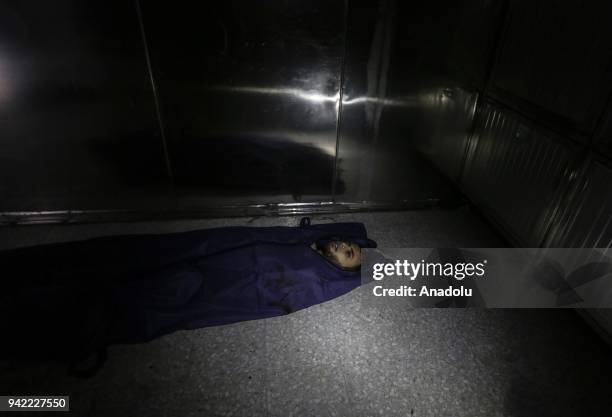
(70, 299)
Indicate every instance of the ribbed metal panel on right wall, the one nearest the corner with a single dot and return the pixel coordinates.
(517, 173)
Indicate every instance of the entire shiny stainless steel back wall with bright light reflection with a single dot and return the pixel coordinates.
(141, 107)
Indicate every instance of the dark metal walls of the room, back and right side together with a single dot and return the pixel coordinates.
(114, 110)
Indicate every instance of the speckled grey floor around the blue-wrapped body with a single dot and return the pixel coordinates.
(346, 357)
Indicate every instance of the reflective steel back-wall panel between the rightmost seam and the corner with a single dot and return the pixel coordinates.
(411, 77)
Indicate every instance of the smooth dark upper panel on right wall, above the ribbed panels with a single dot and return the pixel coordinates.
(554, 64)
